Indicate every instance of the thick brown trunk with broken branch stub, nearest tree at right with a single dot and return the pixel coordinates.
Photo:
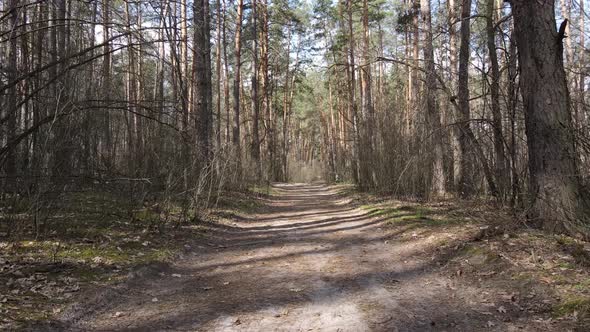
(557, 202)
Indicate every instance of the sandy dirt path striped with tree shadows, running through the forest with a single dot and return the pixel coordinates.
(310, 262)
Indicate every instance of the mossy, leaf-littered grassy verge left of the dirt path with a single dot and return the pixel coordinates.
(87, 238)
